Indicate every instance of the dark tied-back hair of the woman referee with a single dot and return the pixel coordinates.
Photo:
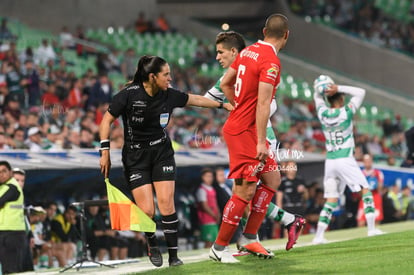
(147, 65)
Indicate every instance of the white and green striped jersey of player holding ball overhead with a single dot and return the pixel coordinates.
(337, 123)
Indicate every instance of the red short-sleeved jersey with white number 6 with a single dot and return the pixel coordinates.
(256, 63)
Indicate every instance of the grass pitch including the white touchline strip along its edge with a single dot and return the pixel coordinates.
(350, 252)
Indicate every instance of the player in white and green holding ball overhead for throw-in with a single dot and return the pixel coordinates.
(341, 168)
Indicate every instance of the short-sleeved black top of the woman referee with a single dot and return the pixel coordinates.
(145, 117)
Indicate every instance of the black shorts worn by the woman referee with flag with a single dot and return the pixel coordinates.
(146, 165)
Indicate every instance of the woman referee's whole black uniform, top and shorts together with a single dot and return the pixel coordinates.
(147, 154)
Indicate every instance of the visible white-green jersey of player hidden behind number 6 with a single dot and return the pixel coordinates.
(215, 93)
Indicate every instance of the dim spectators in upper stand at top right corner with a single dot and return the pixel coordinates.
(362, 19)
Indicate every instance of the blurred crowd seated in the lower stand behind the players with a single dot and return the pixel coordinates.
(45, 106)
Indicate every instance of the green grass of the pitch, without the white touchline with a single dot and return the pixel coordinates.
(391, 253)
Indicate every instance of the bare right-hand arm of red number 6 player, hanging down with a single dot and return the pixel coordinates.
(262, 116)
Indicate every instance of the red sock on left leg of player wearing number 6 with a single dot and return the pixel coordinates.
(232, 213)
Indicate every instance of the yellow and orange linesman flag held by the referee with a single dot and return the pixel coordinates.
(126, 215)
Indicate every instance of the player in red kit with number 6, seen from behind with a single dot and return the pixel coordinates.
(250, 84)
